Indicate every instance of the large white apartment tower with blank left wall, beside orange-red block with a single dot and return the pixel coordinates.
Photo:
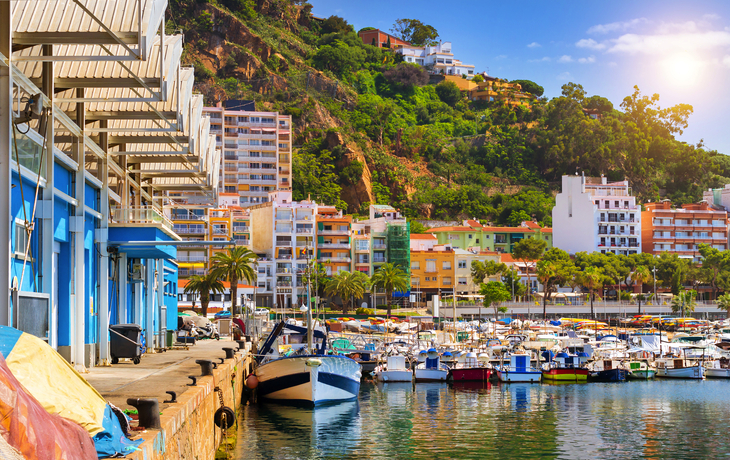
(592, 214)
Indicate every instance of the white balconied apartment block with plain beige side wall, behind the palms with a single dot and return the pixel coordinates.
(283, 234)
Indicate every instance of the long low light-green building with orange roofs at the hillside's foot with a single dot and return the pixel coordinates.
(474, 236)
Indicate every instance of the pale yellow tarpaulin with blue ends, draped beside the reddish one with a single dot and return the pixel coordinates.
(63, 391)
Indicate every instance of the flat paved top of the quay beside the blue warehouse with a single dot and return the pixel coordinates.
(155, 374)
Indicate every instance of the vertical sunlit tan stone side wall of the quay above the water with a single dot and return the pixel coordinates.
(188, 431)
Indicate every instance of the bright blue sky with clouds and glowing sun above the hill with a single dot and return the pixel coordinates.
(677, 49)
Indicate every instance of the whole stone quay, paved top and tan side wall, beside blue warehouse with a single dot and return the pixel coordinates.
(187, 426)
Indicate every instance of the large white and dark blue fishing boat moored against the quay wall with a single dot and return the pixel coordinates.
(304, 374)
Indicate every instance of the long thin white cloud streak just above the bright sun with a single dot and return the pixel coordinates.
(670, 43)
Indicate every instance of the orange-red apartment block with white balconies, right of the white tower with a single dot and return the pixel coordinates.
(681, 230)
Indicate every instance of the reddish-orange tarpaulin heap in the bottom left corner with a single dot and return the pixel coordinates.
(35, 433)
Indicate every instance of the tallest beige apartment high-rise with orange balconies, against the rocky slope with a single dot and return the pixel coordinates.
(256, 148)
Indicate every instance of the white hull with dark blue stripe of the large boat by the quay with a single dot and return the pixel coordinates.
(309, 380)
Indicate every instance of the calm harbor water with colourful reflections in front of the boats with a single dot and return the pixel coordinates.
(651, 419)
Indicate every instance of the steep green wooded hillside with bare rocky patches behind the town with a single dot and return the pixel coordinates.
(370, 129)
